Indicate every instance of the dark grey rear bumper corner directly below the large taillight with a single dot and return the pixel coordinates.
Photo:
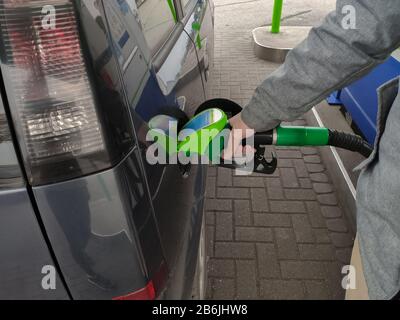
(97, 225)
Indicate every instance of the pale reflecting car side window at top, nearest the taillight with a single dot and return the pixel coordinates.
(158, 19)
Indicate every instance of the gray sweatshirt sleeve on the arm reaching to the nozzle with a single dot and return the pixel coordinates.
(329, 59)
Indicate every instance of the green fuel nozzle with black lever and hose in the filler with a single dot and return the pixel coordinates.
(207, 135)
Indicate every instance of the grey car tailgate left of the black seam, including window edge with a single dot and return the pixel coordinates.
(24, 252)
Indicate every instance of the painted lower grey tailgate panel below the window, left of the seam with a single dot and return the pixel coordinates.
(24, 252)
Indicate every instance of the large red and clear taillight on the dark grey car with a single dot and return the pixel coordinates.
(49, 90)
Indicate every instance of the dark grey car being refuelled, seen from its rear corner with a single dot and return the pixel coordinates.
(78, 201)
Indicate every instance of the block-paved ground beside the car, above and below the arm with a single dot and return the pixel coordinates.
(283, 236)
